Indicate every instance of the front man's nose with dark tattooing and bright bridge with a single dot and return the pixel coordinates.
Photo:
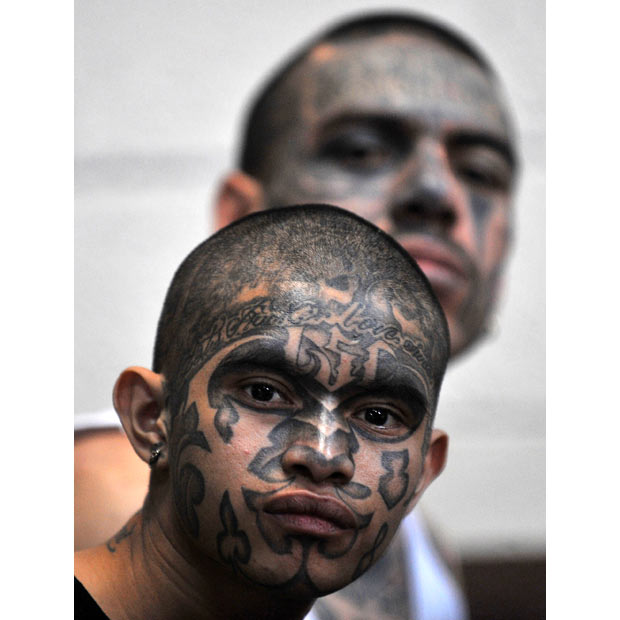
(323, 454)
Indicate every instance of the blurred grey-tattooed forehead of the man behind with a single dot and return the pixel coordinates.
(401, 73)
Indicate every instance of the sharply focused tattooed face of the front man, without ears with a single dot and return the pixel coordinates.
(299, 447)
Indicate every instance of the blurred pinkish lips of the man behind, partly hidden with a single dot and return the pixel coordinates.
(443, 267)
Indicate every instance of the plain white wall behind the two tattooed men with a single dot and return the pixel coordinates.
(159, 91)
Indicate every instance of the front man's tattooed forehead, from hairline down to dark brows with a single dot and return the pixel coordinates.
(341, 321)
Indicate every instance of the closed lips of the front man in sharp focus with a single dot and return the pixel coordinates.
(311, 514)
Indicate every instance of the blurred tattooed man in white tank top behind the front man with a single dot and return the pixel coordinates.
(401, 121)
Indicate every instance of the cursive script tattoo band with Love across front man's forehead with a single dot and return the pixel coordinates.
(361, 320)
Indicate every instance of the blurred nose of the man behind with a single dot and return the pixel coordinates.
(427, 194)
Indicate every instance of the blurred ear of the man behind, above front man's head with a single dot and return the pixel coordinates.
(238, 196)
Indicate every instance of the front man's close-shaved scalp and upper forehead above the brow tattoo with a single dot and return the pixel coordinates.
(297, 266)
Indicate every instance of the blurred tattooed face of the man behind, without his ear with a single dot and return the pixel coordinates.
(412, 136)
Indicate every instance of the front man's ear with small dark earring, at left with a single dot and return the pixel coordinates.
(139, 402)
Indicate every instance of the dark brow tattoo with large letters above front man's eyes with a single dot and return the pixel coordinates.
(330, 367)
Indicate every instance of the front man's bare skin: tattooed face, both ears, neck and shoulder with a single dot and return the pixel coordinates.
(313, 405)
